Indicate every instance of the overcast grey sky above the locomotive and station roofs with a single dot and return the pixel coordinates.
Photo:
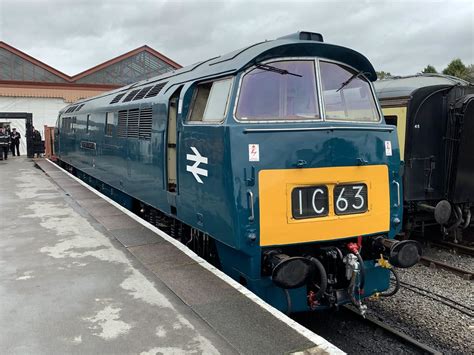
(400, 37)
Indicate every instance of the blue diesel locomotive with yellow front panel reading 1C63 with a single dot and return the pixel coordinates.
(273, 162)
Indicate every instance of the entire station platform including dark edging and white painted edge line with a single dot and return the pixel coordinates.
(81, 275)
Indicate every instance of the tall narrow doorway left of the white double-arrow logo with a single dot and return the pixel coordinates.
(171, 141)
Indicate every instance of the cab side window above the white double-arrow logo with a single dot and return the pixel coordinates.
(211, 101)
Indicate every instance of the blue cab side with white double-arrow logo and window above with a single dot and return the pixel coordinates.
(204, 182)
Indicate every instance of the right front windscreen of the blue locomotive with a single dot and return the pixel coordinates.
(347, 95)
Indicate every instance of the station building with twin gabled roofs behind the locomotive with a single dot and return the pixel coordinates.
(31, 88)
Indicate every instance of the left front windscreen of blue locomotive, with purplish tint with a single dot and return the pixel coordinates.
(279, 91)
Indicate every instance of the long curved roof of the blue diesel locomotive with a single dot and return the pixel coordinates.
(233, 62)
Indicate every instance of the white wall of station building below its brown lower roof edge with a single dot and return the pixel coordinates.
(45, 112)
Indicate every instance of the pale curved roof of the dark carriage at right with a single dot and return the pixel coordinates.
(405, 86)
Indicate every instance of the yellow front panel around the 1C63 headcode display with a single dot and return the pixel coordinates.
(278, 226)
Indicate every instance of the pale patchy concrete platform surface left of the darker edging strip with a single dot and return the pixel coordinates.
(67, 287)
